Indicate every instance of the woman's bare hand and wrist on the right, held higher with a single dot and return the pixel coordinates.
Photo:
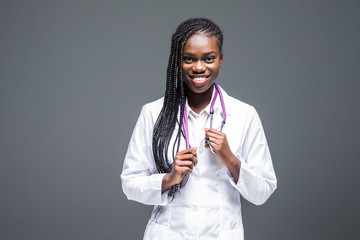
(222, 150)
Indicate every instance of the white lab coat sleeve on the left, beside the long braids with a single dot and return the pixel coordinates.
(139, 178)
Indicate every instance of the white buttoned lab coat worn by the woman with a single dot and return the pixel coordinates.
(208, 207)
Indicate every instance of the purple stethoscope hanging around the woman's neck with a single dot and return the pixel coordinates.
(185, 122)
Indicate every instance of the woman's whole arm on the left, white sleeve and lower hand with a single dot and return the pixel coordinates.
(140, 180)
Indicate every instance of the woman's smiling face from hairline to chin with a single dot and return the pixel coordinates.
(202, 62)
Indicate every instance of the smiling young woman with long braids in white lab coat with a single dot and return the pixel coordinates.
(195, 151)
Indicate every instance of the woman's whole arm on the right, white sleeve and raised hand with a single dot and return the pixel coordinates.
(250, 171)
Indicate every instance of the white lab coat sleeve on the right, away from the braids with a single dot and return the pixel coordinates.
(257, 179)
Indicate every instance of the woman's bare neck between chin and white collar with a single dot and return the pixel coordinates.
(199, 101)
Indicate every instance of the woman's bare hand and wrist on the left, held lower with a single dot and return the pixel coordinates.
(184, 163)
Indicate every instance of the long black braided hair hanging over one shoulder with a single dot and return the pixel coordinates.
(175, 94)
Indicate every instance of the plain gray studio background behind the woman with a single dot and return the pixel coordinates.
(74, 75)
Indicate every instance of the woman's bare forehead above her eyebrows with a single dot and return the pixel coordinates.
(200, 42)
